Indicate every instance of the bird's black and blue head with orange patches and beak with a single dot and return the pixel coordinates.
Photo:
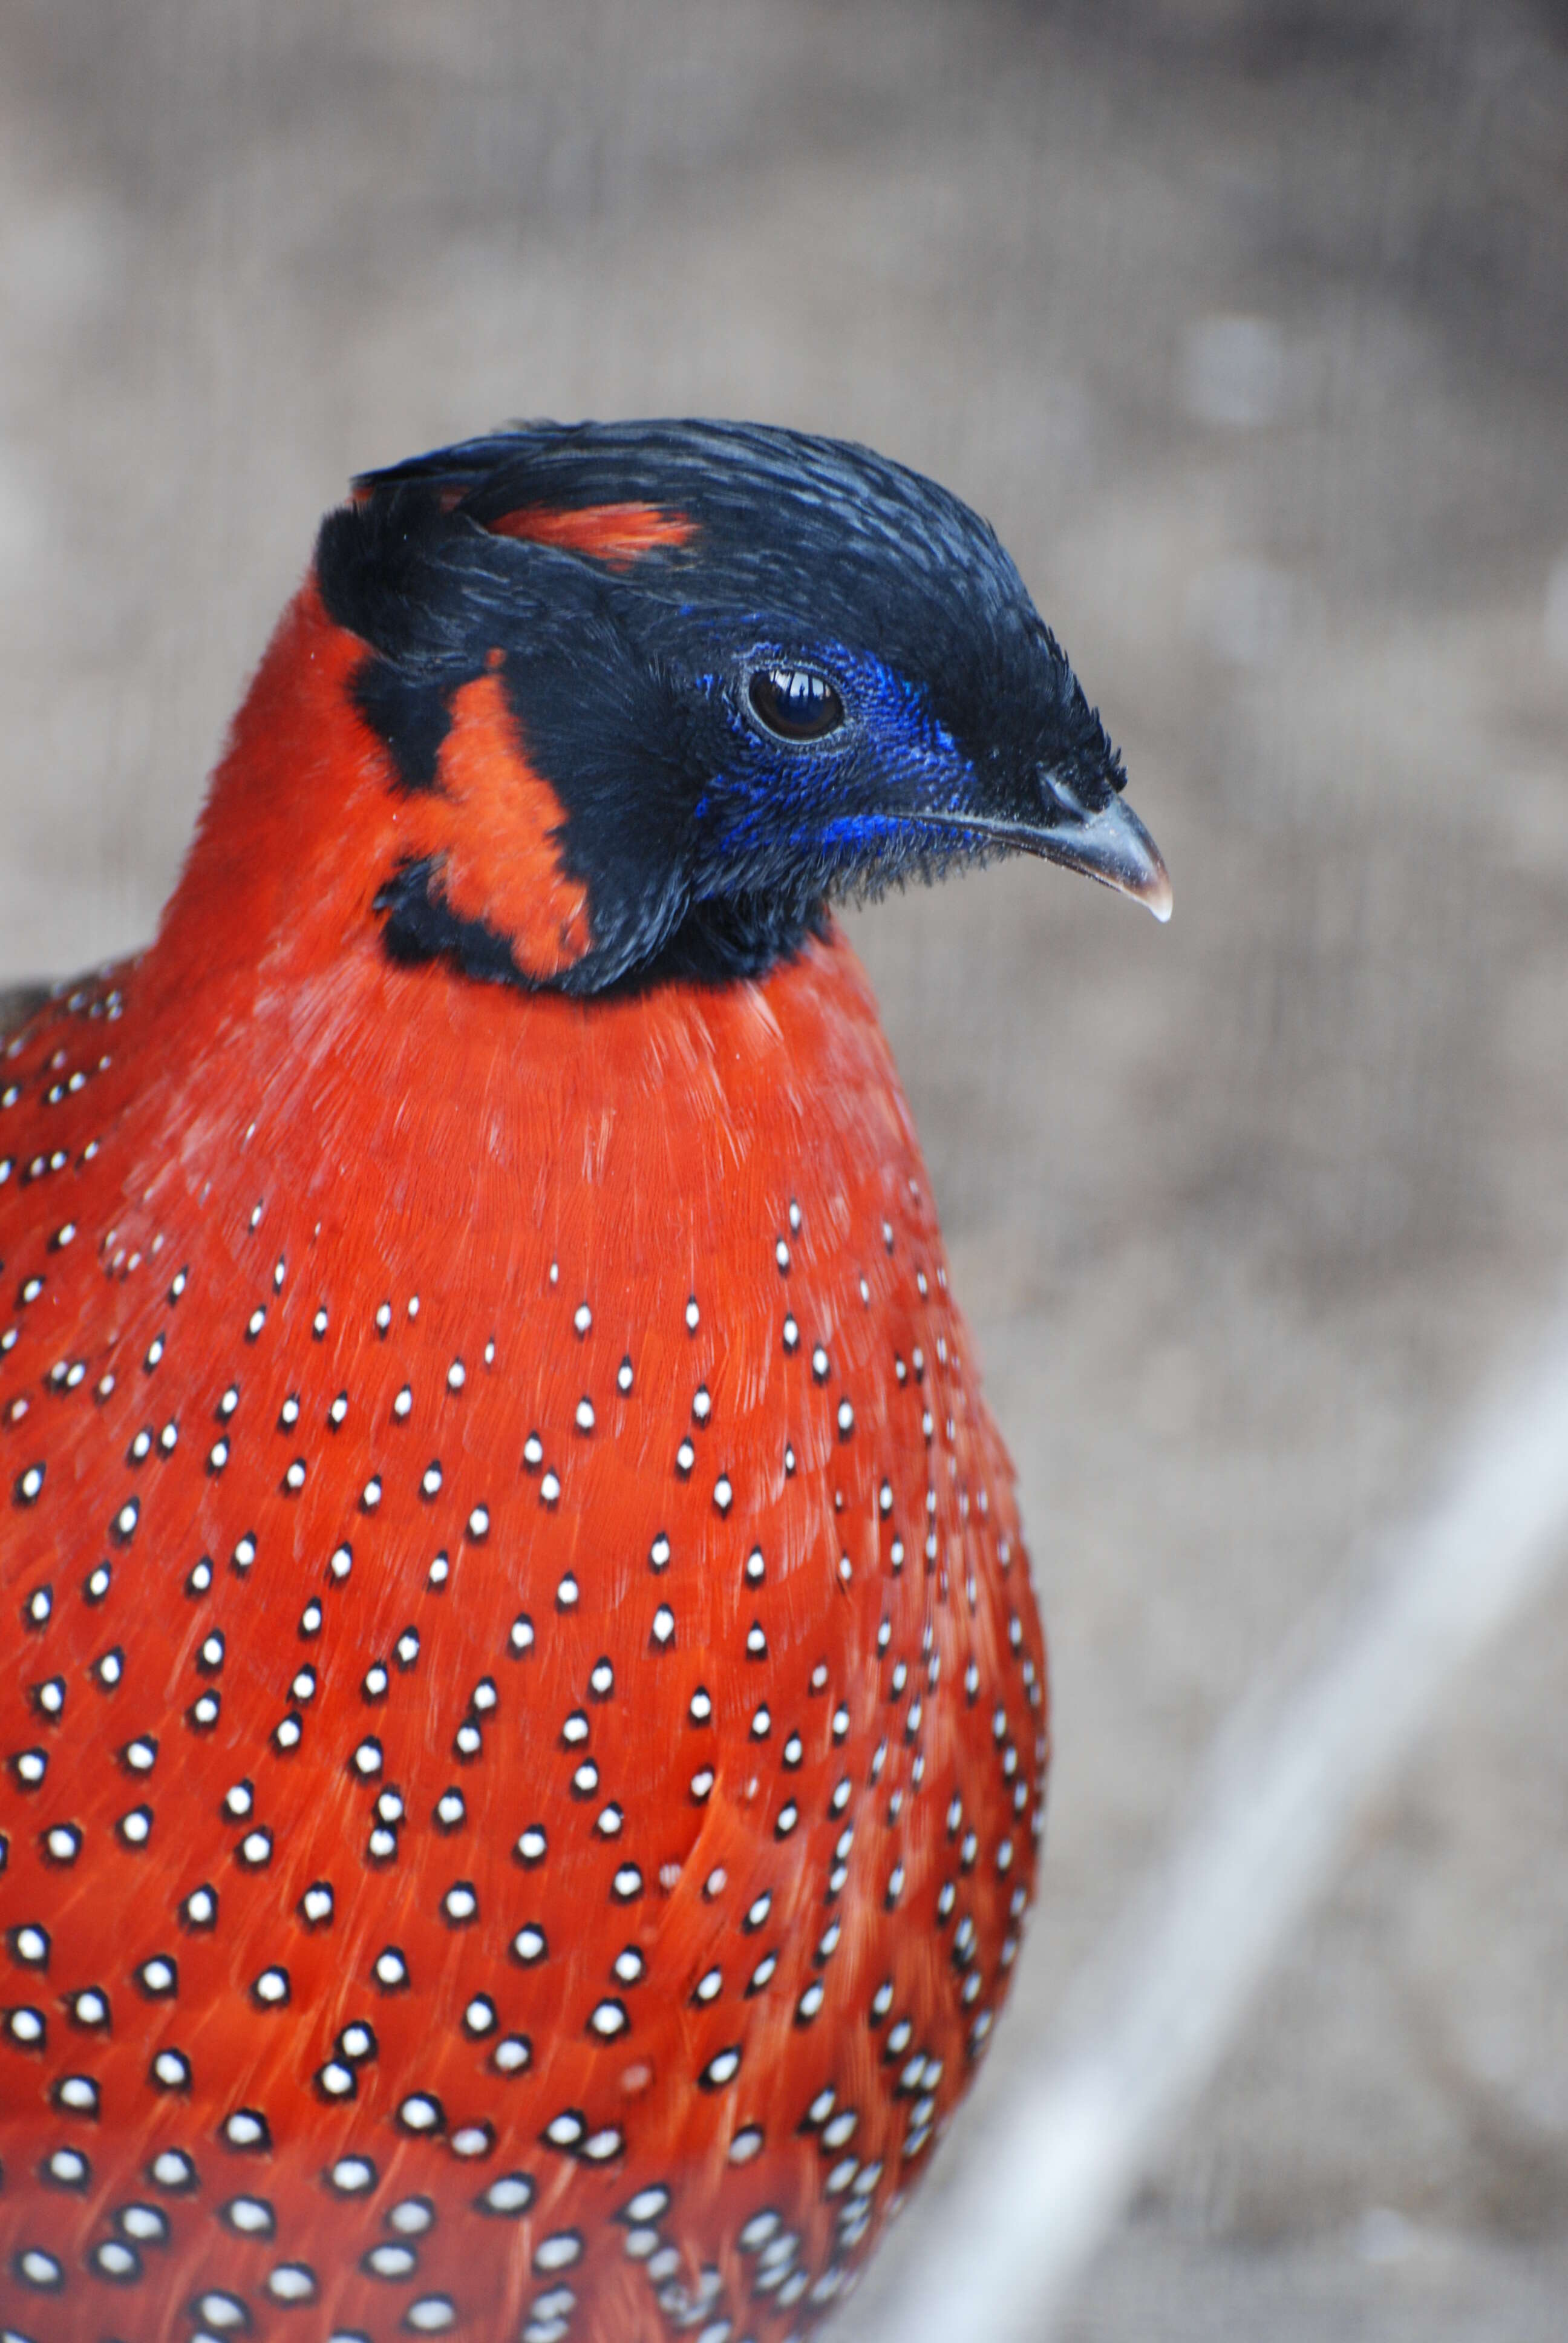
(655, 695)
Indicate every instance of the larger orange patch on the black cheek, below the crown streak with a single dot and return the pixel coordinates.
(496, 826)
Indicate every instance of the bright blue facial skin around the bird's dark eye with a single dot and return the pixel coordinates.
(845, 800)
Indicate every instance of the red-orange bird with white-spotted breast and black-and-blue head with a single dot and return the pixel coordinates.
(524, 1714)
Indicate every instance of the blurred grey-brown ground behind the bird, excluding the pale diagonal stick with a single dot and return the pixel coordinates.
(1248, 325)
